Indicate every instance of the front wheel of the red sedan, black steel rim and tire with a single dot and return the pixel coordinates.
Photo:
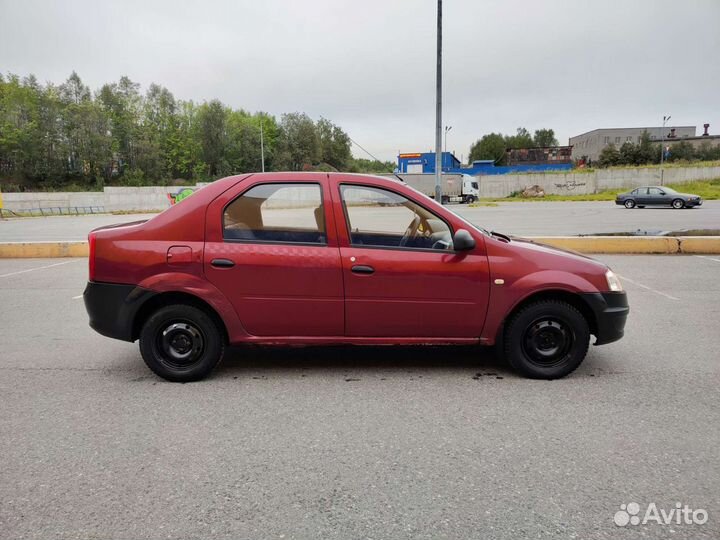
(547, 339)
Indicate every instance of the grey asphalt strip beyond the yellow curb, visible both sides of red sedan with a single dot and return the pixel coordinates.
(519, 218)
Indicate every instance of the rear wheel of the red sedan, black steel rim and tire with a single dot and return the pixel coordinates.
(181, 343)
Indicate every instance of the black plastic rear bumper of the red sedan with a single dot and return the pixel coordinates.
(112, 308)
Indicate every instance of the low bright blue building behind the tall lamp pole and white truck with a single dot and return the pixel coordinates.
(424, 163)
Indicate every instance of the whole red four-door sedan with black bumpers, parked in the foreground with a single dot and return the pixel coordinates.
(318, 258)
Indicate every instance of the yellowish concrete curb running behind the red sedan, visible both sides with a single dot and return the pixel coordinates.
(698, 245)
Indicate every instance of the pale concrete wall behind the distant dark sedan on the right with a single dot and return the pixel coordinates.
(587, 183)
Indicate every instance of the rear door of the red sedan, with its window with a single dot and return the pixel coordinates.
(271, 248)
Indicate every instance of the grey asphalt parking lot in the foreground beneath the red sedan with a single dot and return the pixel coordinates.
(357, 442)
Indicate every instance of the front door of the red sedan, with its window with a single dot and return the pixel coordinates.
(402, 278)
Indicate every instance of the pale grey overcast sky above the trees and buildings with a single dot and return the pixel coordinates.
(369, 65)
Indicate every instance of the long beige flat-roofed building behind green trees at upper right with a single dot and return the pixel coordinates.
(590, 144)
